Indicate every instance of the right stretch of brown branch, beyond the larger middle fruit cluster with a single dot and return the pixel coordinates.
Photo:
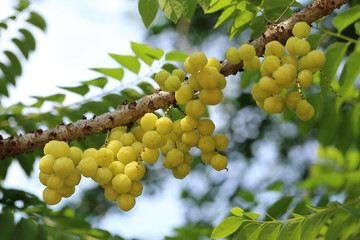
(282, 31)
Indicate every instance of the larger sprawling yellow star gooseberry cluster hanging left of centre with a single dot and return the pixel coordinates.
(119, 165)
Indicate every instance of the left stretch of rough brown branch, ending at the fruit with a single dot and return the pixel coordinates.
(122, 116)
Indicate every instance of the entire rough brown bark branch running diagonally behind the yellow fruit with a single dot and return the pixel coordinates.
(129, 113)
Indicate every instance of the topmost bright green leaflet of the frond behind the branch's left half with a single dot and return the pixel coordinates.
(146, 53)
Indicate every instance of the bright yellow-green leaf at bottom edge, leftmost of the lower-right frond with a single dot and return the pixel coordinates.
(226, 227)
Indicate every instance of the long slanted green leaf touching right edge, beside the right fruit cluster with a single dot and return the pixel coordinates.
(350, 72)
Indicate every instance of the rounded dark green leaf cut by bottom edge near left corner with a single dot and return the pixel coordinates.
(25, 229)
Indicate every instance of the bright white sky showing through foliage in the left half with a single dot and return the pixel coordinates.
(79, 36)
